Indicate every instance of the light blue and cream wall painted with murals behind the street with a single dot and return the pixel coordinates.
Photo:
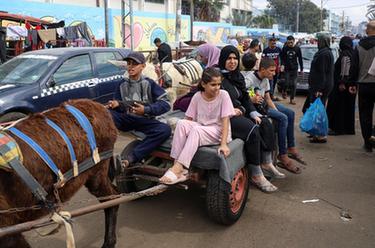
(147, 25)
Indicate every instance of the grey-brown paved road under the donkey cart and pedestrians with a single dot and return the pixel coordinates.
(339, 173)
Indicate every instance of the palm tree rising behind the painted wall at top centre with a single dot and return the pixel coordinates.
(208, 10)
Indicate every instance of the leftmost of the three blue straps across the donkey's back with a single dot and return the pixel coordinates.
(39, 150)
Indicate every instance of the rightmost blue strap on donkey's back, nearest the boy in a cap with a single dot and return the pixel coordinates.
(85, 124)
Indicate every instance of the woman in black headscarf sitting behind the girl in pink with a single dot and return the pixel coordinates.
(242, 125)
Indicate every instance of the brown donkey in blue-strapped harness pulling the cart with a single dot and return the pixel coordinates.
(14, 193)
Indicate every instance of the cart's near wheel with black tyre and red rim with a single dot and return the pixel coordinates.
(225, 202)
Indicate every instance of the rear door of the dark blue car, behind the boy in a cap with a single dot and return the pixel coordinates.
(109, 75)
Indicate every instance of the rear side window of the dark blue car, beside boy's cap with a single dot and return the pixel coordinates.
(104, 67)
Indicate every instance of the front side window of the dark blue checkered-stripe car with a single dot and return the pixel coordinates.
(74, 69)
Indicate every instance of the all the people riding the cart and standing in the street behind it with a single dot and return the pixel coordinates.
(235, 99)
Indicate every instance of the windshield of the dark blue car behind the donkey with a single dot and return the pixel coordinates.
(25, 69)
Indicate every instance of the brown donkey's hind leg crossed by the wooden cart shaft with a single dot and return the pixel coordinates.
(100, 185)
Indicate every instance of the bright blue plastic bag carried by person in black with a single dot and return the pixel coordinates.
(315, 120)
